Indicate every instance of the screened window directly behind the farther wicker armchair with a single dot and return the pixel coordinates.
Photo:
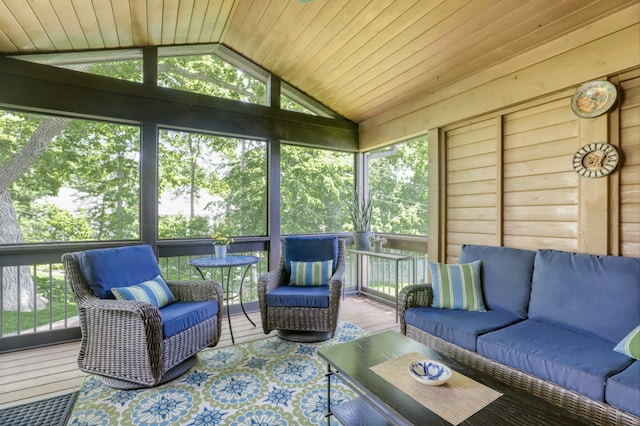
(316, 186)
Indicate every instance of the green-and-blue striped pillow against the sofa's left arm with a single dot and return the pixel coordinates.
(457, 286)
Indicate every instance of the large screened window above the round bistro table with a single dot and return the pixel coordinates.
(211, 184)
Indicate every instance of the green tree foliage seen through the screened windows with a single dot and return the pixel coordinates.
(99, 163)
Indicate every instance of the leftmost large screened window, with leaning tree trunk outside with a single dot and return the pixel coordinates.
(68, 179)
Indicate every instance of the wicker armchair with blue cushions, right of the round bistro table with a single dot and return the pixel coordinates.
(301, 322)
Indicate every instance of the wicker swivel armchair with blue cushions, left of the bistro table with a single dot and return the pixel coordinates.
(126, 342)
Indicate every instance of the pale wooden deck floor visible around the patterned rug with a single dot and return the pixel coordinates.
(35, 374)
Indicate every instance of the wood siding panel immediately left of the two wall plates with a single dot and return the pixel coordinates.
(540, 186)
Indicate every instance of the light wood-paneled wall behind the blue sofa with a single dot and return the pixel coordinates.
(507, 179)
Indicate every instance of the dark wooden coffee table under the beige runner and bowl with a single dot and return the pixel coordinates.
(381, 403)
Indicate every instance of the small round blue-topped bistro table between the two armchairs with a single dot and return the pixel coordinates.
(222, 263)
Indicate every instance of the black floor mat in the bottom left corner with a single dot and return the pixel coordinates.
(48, 412)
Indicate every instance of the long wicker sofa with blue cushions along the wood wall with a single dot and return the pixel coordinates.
(551, 322)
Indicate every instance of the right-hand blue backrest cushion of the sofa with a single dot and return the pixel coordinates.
(595, 295)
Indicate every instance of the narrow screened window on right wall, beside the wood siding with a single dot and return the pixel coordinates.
(398, 186)
